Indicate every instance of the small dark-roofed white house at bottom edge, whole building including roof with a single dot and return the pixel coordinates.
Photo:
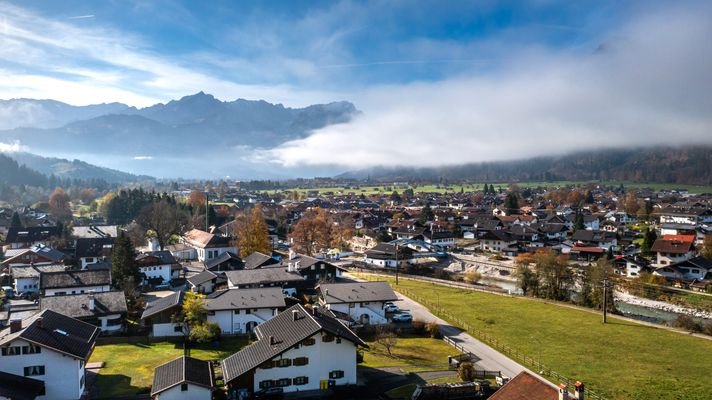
(183, 378)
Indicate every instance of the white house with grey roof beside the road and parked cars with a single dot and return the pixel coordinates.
(363, 302)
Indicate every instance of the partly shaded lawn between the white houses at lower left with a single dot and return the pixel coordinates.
(128, 367)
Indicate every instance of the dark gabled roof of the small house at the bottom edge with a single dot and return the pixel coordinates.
(182, 370)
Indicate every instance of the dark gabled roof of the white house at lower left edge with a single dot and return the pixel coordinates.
(56, 331)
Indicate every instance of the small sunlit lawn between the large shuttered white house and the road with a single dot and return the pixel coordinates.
(412, 352)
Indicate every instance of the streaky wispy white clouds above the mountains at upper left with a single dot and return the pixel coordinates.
(85, 65)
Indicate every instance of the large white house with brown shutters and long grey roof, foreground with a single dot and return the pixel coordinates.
(298, 350)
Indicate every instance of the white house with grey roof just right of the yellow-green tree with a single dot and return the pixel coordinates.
(239, 311)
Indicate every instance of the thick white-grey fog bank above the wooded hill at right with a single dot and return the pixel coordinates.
(649, 84)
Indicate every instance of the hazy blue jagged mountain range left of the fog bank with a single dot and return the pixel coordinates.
(195, 136)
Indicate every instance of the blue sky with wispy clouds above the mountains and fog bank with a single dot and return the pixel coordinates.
(284, 50)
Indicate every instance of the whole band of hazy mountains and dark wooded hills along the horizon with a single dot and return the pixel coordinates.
(200, 136)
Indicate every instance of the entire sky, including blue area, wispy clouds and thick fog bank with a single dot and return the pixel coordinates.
(483, 80)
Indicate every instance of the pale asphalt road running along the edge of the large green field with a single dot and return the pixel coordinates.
(488, 358)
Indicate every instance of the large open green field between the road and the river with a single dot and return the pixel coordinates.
(621, 360)
